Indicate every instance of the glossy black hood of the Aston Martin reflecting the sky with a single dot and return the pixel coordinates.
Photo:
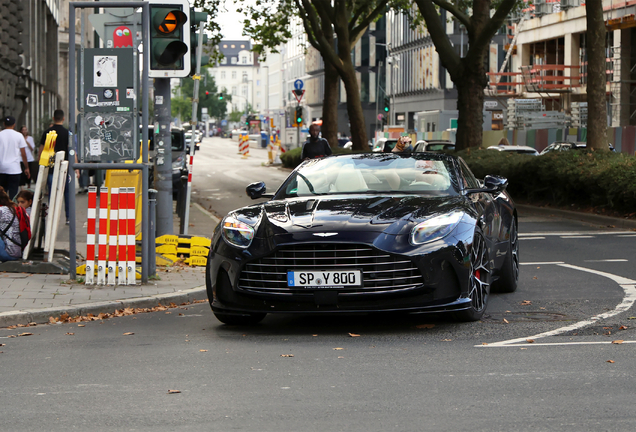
(392, 215)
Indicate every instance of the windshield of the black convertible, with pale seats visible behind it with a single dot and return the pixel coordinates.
(415, 173)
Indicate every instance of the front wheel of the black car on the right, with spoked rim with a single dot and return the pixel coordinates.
(479, 280)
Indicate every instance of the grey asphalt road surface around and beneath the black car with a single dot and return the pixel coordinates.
(352, 373)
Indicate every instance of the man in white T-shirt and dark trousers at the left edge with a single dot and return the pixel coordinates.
(12, 152)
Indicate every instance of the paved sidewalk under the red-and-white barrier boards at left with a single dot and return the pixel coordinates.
(27, 298)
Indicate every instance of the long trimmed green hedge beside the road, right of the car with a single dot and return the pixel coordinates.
(585, 178)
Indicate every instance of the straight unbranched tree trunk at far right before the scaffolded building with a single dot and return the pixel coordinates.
(596, 101)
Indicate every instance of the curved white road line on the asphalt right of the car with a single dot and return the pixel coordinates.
(629, 287)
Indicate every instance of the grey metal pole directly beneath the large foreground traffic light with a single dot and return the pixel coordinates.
(163, 158)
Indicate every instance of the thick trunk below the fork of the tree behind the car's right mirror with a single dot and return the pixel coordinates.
(470, 100)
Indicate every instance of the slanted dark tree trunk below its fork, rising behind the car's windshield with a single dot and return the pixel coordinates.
(357, 125)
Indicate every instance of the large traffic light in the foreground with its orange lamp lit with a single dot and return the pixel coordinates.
(169, 39)
